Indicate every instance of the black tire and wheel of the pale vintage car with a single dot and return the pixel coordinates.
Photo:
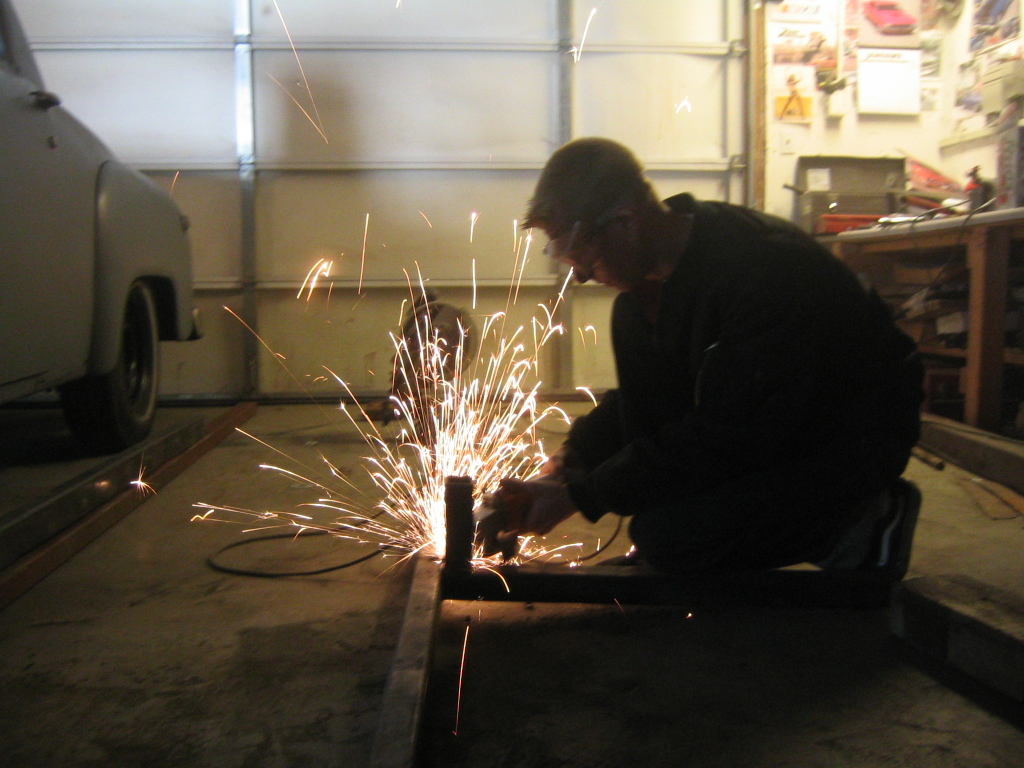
(110, 413)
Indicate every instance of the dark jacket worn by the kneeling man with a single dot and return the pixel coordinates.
(766, 350)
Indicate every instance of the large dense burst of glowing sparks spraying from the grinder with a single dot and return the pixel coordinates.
(471, 409)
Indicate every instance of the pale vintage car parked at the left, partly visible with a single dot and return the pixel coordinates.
(95, 264)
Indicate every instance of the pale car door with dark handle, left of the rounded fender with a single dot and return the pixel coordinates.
(47, 231)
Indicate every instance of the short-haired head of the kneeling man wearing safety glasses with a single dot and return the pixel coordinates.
(590, 201)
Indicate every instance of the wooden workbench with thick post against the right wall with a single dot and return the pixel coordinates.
(985, 242)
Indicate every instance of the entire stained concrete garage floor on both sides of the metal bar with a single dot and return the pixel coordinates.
(135, 653)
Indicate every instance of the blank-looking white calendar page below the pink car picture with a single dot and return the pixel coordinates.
(888, 81)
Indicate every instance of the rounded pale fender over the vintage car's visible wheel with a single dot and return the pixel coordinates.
(141, 235)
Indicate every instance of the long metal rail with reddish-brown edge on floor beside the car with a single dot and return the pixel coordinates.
(80, 511)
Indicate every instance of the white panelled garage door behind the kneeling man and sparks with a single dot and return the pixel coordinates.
(391, 139)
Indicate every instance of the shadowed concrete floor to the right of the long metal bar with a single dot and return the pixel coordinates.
(575, 686)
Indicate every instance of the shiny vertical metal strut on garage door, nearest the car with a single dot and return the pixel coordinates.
(245, 121)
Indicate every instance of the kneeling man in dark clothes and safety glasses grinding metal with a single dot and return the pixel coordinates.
(766, 403)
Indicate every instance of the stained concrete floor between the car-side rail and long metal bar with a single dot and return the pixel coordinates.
(135, 653)
